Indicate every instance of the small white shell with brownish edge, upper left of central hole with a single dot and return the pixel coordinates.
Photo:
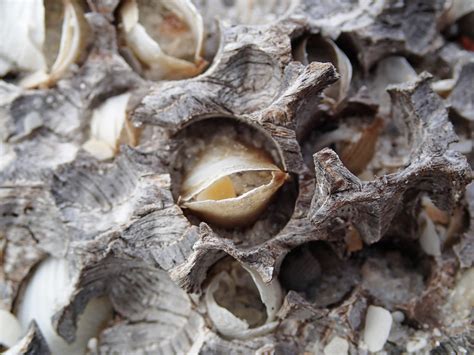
(110, 127)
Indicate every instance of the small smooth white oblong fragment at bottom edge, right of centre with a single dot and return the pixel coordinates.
(378, 323)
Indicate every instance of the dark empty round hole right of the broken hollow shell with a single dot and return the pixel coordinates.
(315, 271)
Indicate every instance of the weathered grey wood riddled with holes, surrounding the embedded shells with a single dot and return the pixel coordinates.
(346, 241)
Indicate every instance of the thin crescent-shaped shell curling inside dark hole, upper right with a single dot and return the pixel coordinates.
(319, 49)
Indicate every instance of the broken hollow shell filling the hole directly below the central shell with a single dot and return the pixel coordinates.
(241, 305)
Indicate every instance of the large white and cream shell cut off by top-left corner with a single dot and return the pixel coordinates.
(41, 56)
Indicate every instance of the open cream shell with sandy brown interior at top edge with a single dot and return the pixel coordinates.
(171, 48)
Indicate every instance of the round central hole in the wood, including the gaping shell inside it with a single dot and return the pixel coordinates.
(231, 175)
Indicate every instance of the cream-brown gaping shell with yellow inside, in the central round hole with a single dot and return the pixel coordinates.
(231, 183)
